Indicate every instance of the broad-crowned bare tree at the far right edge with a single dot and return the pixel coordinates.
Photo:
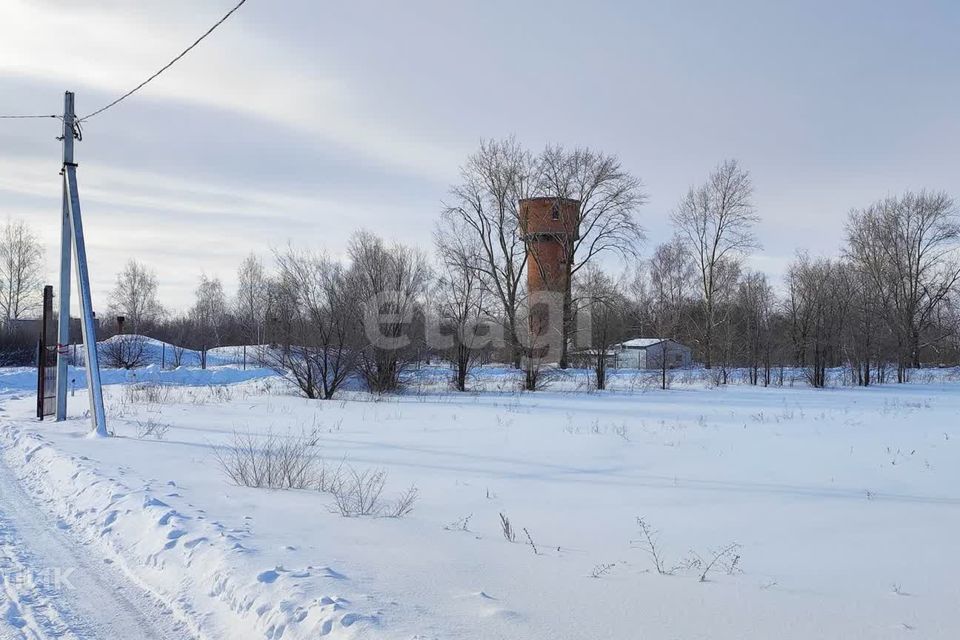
(907, 247)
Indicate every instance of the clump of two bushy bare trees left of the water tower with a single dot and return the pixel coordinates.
(329, 320)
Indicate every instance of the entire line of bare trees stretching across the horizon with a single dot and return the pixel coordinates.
(888, 302)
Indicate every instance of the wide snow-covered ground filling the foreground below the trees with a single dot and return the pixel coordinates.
(843, 503)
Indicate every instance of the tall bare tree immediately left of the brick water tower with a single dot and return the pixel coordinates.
(481, 225)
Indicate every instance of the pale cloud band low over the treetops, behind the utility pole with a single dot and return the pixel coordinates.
(183, 227)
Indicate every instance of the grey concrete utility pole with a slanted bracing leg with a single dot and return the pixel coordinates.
(71, 240)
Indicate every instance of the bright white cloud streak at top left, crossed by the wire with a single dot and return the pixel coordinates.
(237, 70)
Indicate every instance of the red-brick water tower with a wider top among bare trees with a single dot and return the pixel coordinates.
(550, 226)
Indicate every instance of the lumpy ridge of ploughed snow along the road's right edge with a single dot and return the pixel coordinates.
(201, 569)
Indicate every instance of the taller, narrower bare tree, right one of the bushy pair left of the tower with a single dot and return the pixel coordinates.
(389, 280)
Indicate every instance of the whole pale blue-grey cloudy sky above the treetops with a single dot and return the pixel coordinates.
(303, 120)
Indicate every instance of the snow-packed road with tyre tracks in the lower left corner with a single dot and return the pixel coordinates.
(53, 586)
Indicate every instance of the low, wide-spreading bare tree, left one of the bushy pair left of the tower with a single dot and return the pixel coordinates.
(321, 322)
